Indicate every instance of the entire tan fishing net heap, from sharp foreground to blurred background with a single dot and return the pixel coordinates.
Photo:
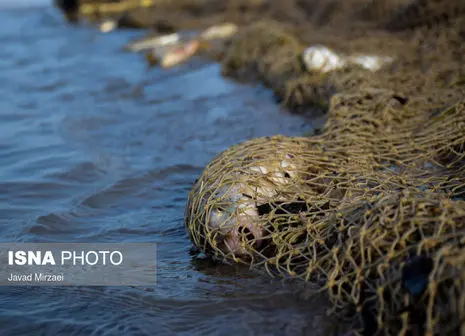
(372, 209)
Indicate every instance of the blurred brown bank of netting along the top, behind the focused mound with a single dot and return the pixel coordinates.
(273, 34)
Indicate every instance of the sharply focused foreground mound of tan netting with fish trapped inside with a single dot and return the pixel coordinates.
(370, 210)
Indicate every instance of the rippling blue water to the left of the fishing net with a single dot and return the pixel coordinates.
(96, 147)
